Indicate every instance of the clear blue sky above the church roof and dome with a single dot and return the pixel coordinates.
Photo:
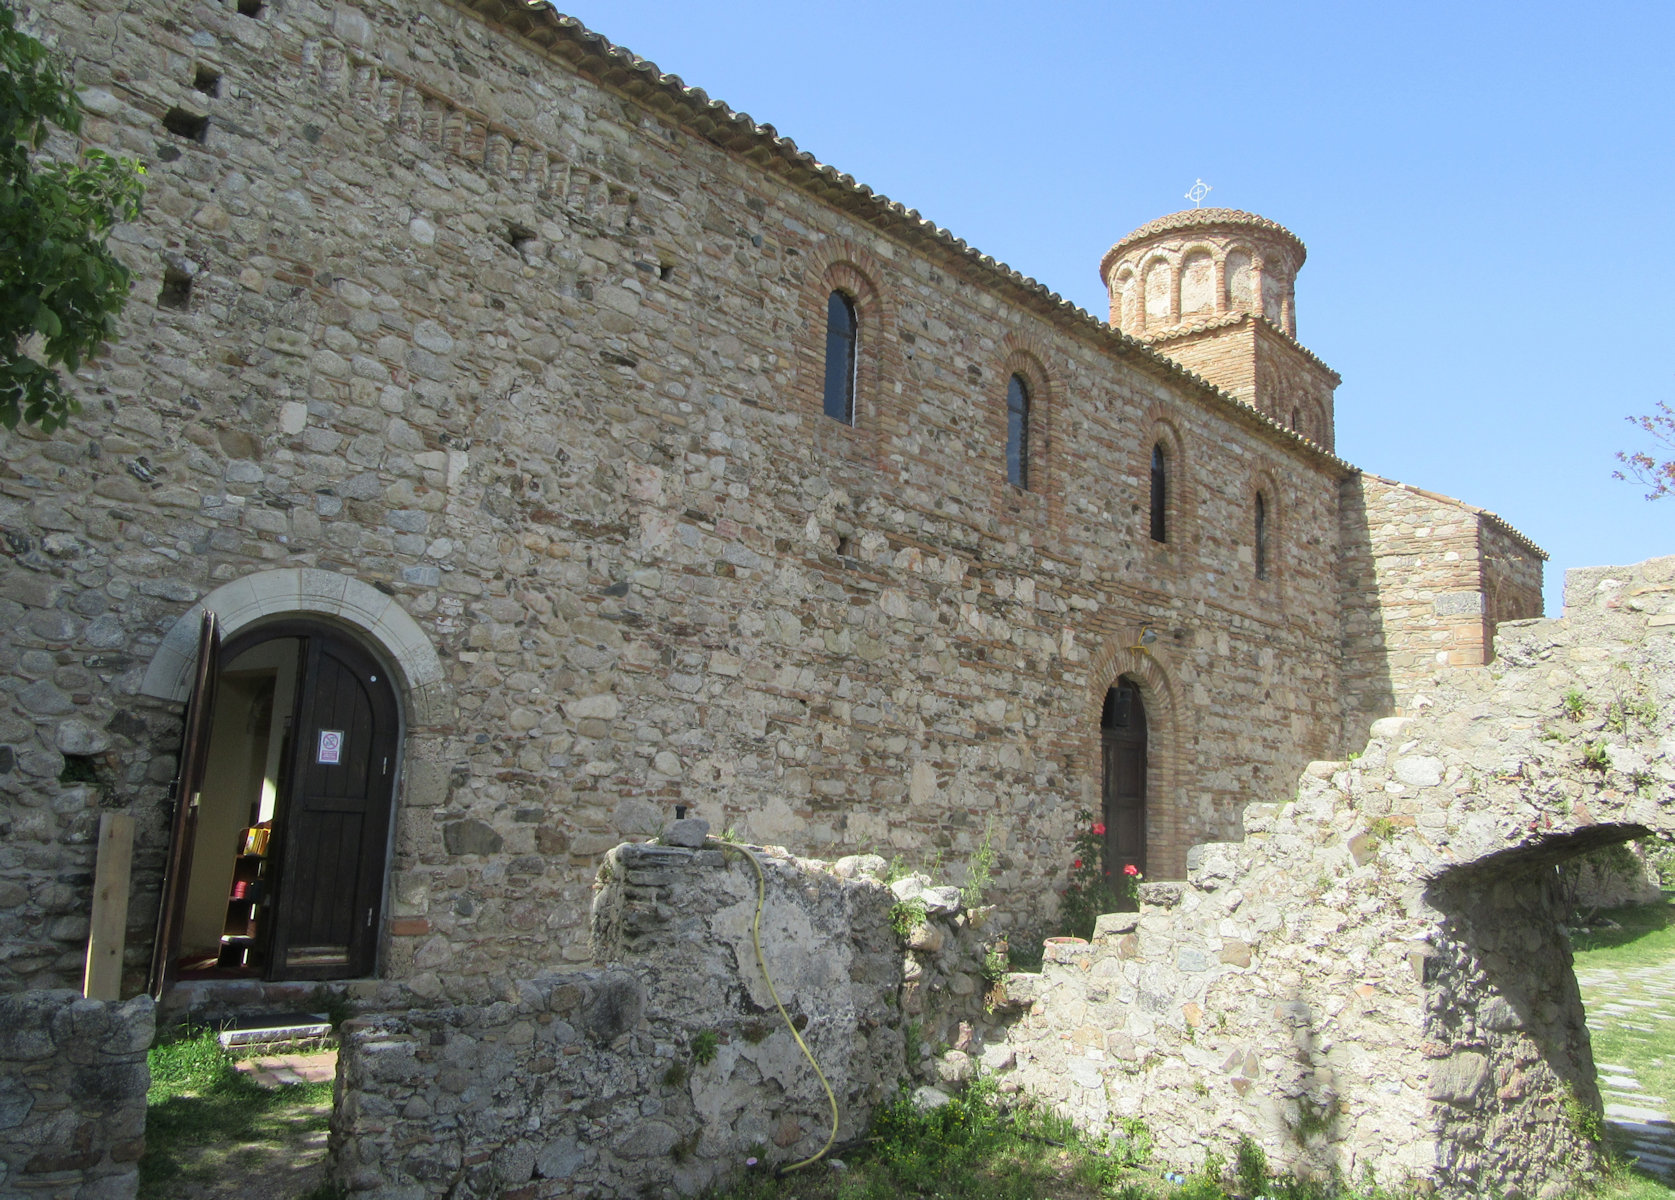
(1485, 192)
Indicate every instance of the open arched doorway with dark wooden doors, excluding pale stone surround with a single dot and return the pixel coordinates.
(287, 829)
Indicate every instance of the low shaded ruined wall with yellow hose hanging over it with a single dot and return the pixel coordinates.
(590, 1082)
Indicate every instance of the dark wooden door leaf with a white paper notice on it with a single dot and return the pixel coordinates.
(336, 817)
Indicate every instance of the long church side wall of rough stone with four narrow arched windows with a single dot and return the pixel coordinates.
(545, 370)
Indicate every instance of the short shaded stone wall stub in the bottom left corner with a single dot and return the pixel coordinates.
(73, 1095)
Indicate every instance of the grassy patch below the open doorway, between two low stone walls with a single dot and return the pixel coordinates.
(205, 1120)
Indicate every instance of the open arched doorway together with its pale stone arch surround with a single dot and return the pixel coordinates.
(281, 844)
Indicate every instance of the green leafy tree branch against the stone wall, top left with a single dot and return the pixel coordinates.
(61, 287)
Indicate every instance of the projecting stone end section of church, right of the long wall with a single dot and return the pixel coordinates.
(1426, 582)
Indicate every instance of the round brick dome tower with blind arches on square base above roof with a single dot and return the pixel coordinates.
(1215, 289)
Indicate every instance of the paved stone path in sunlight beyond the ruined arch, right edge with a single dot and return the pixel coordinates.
(1634, 1000)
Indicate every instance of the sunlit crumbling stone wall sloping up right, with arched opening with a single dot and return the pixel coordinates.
(1379, 975)
